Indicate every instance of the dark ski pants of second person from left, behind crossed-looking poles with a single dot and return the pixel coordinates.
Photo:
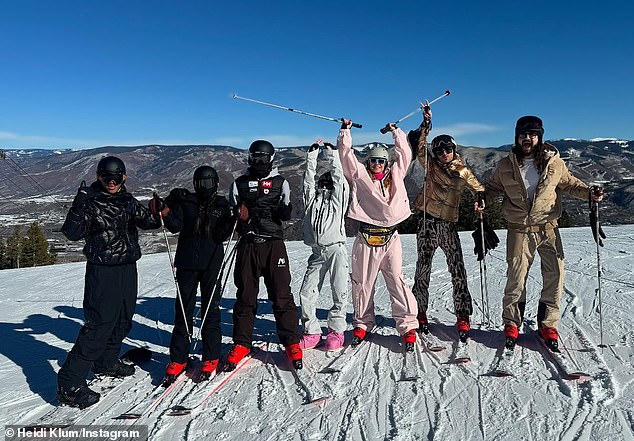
(188, 281)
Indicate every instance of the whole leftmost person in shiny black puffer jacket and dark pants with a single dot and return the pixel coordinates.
(106, 216)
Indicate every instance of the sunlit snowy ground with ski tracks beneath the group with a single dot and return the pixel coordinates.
(40, 314)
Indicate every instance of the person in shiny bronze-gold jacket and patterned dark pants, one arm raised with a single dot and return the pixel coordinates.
(446, 178)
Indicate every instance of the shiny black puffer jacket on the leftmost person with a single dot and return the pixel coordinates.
(108, 223)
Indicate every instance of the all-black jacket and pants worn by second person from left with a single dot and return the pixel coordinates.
(202, 227)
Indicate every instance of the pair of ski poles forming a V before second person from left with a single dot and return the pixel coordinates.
(229, 257)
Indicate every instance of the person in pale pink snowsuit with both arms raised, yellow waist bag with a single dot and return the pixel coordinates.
(379, 202)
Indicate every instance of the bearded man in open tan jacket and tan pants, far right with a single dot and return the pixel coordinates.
(531, 180)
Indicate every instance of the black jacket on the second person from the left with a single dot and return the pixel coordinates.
(202, 227)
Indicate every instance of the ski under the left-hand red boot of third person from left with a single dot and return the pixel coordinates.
(207, 388)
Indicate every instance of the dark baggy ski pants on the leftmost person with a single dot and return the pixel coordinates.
(110, 293)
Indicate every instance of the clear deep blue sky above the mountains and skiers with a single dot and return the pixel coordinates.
(84, 74)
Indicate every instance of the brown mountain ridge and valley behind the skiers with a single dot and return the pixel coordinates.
(160, 168)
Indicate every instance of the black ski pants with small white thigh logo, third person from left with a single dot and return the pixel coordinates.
(268, 259)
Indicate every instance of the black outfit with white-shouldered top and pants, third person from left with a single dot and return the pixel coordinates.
(261, 253)
